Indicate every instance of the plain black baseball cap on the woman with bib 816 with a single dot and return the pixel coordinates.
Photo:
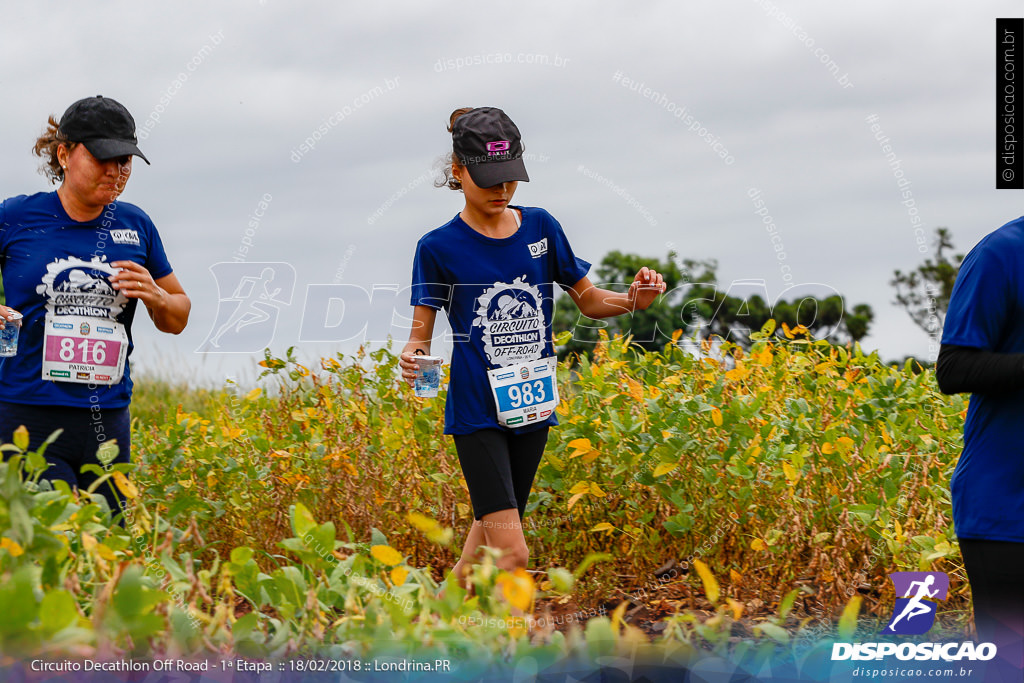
(104, 126)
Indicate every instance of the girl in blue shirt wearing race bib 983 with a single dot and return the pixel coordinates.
(492, 269)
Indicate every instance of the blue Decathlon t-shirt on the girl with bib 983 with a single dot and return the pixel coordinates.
(493, 291)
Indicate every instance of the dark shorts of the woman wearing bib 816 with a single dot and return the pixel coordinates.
(84, 432)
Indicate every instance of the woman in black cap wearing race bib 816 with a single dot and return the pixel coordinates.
(75, 264)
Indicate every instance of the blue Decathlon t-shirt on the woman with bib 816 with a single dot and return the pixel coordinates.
(54, 265)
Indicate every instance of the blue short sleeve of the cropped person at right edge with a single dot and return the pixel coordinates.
(982, 301)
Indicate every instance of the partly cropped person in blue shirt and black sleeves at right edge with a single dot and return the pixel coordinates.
(983, 353)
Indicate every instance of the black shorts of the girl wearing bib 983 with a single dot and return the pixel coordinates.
(499, 466)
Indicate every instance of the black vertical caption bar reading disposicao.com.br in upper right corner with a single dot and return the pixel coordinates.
(1009, 151)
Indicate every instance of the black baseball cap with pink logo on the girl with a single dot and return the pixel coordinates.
(488, 144)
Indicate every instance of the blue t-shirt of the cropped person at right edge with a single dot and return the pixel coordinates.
(987, 312)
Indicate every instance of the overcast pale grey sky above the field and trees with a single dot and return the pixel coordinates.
(372, 88)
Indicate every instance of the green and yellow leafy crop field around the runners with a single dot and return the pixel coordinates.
(321, 510)
